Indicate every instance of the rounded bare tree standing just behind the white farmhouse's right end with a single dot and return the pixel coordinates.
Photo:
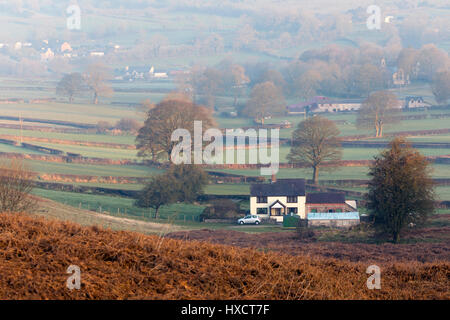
(314, 142)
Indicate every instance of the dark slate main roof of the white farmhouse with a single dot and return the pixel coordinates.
(283, 187)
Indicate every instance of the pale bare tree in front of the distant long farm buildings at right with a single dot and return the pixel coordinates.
(378, 110)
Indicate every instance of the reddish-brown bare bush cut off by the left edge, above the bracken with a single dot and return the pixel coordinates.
(16, 184)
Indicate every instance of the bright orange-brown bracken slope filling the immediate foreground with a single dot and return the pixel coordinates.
(35, 254)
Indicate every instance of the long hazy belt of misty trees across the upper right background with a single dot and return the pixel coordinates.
(331, 71)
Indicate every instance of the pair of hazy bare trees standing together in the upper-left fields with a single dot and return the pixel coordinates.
(94, 79)
